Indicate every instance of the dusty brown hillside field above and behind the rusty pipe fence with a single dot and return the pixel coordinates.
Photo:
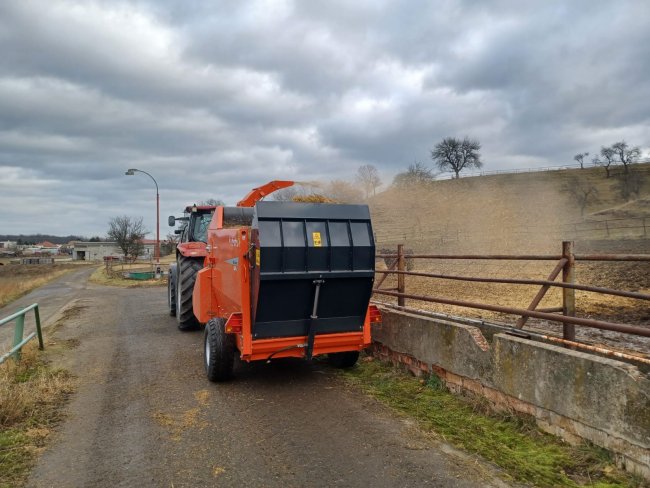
(520, 214)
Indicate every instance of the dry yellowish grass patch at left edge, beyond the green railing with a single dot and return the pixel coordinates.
(17, 279)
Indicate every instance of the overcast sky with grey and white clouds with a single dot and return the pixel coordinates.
(216, 97)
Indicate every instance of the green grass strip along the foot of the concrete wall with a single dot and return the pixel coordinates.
(511, 442)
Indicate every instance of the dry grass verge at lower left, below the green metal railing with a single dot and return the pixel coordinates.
(31, 394)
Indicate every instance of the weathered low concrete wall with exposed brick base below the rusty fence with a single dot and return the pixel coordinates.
(571, 394)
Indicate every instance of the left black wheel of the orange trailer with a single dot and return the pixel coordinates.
(218, 351)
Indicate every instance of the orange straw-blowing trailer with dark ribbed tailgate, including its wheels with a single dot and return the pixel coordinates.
(285, 279)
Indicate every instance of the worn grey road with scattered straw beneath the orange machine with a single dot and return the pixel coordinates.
(145, 415)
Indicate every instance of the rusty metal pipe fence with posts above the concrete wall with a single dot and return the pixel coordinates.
(565, 266)
